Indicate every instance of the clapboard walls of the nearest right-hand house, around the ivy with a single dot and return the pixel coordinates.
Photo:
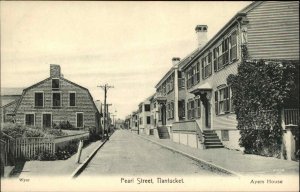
(269, 30)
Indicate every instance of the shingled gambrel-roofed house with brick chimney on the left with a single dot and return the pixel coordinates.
(55, 100)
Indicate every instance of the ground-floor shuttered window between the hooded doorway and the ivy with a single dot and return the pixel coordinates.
(222, 101)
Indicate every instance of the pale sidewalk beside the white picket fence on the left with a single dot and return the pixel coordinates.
(58, 167)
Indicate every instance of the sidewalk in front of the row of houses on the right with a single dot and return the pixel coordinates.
(232, 161)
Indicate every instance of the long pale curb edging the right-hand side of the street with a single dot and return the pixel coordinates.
(217, 167)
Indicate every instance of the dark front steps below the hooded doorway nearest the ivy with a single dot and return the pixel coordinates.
(211, 140)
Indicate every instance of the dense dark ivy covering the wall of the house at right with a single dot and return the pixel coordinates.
(269, 85)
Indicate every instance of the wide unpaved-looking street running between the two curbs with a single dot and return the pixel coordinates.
(128, 154)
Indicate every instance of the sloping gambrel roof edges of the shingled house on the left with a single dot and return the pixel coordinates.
(41, 82)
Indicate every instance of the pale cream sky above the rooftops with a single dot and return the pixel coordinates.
(129, 45)
